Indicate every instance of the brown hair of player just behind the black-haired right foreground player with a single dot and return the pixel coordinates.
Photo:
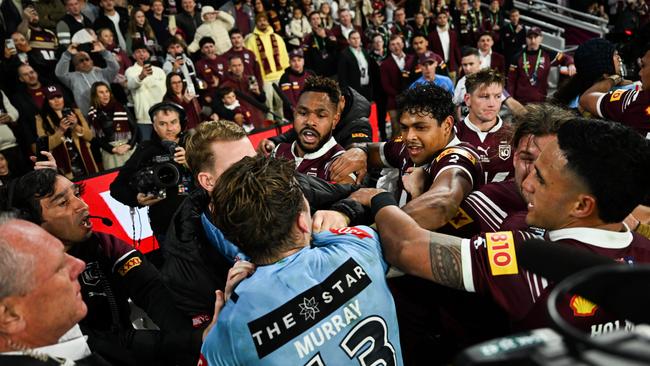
(540, 120)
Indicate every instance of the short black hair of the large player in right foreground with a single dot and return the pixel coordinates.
(612, 160)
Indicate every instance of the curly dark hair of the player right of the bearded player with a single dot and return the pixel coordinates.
(427, 99)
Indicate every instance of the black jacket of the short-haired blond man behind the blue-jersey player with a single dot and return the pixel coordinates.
(193, 267)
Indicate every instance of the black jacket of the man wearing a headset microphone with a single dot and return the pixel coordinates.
(114, 273)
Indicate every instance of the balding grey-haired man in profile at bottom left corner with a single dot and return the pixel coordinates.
(40, 299)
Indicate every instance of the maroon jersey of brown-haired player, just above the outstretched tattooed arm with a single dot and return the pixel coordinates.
(489, 209)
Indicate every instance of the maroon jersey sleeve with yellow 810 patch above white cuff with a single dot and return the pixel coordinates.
(489, 266)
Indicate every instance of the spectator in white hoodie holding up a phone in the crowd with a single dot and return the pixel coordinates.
(147, 85)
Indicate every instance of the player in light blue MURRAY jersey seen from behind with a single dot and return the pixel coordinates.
(301, 290)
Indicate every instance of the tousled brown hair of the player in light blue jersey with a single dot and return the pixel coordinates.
(256, 203)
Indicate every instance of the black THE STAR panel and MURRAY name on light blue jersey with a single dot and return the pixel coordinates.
(275, 329)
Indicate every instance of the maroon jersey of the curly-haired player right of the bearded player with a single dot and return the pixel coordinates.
(456, 154)
